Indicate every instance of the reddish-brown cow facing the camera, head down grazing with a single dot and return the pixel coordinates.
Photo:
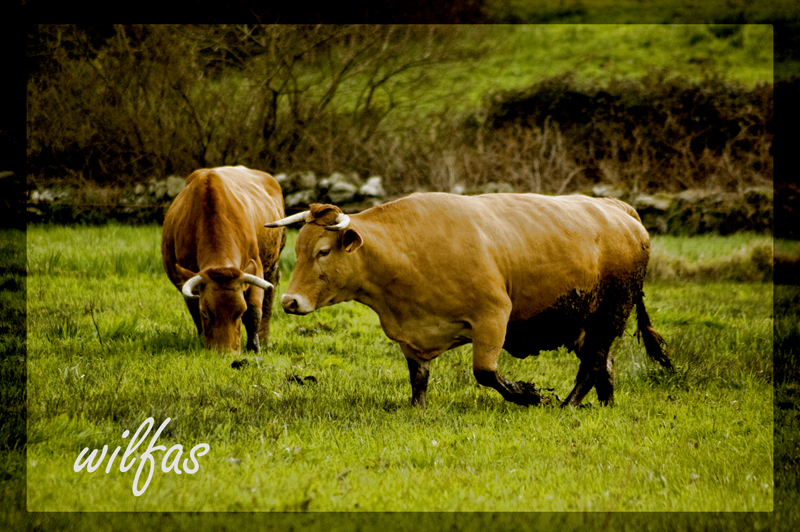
(217, 252)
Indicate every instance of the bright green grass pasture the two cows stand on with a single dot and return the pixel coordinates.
(111, 344)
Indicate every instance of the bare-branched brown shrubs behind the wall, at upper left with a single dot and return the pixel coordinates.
(167, 99)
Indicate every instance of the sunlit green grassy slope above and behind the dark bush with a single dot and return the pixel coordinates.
(508, 57)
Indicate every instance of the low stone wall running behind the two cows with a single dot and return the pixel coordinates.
(689, 212)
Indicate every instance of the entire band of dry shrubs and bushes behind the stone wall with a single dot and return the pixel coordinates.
(120, 105)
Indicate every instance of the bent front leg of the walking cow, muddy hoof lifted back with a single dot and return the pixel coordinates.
(487, 342)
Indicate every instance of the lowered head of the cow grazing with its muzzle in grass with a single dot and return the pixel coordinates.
(220, 293)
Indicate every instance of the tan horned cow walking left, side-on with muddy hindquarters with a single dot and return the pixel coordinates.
(520, 272)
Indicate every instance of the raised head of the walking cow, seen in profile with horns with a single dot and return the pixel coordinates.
(325, 272)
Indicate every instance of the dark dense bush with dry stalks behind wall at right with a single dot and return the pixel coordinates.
(665, 133)
